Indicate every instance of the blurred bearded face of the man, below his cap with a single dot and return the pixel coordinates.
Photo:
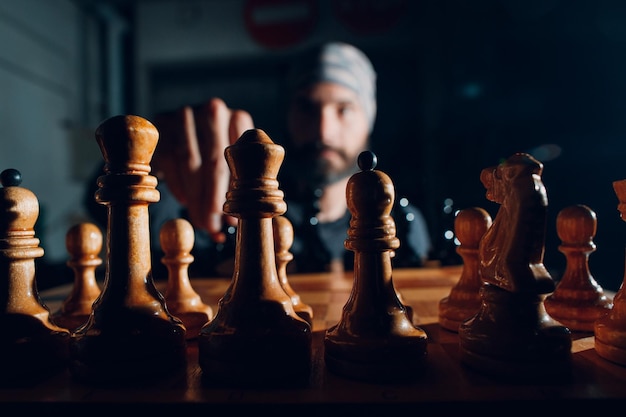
(328, 129)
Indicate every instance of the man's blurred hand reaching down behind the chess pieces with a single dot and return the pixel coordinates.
(190, 159)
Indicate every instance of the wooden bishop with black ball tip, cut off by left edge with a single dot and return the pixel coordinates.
(32, 346)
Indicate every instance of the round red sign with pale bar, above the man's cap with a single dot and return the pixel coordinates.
(280, 23)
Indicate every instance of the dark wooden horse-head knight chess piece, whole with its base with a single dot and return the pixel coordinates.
(511, 335)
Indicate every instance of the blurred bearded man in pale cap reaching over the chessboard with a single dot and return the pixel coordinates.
(331, 114)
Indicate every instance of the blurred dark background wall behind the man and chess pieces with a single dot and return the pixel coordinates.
(462, 85)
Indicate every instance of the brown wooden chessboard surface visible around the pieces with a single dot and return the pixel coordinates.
(445, 384)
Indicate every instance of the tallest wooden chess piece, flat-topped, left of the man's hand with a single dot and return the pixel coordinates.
(130, 335)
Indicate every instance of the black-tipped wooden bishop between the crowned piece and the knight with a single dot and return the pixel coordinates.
(374, 340)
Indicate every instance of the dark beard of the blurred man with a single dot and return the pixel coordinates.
(318, 172)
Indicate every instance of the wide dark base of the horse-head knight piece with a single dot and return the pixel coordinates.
(513, 336)
